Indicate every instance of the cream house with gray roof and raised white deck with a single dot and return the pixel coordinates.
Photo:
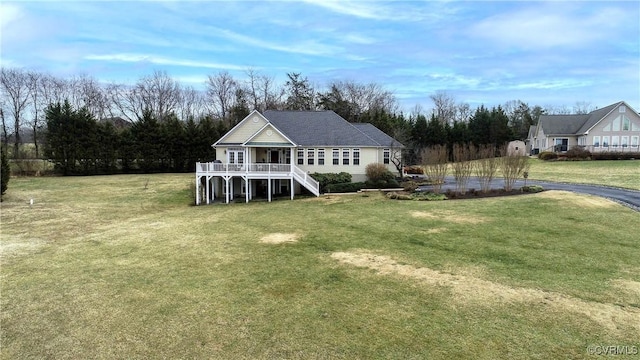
(274, 153)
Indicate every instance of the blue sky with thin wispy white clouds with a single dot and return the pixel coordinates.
(550, 53)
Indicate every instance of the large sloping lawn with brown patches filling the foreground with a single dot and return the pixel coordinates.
(124, 267)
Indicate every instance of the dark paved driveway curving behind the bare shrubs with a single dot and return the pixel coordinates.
(630, 198)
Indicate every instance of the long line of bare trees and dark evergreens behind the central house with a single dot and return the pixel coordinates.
(175, 114)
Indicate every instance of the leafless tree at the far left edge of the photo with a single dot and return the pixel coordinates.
(16, 92)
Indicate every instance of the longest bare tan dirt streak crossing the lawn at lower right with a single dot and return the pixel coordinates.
(471, 289)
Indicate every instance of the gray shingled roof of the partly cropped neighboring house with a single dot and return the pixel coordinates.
(574, 124)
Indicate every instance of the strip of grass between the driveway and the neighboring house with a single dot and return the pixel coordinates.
(620, 173)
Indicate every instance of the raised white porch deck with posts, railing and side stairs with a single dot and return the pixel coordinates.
(242, 178)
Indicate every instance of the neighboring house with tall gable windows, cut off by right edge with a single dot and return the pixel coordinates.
(613, 128)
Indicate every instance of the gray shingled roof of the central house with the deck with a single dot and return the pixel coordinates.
(324, 128)
